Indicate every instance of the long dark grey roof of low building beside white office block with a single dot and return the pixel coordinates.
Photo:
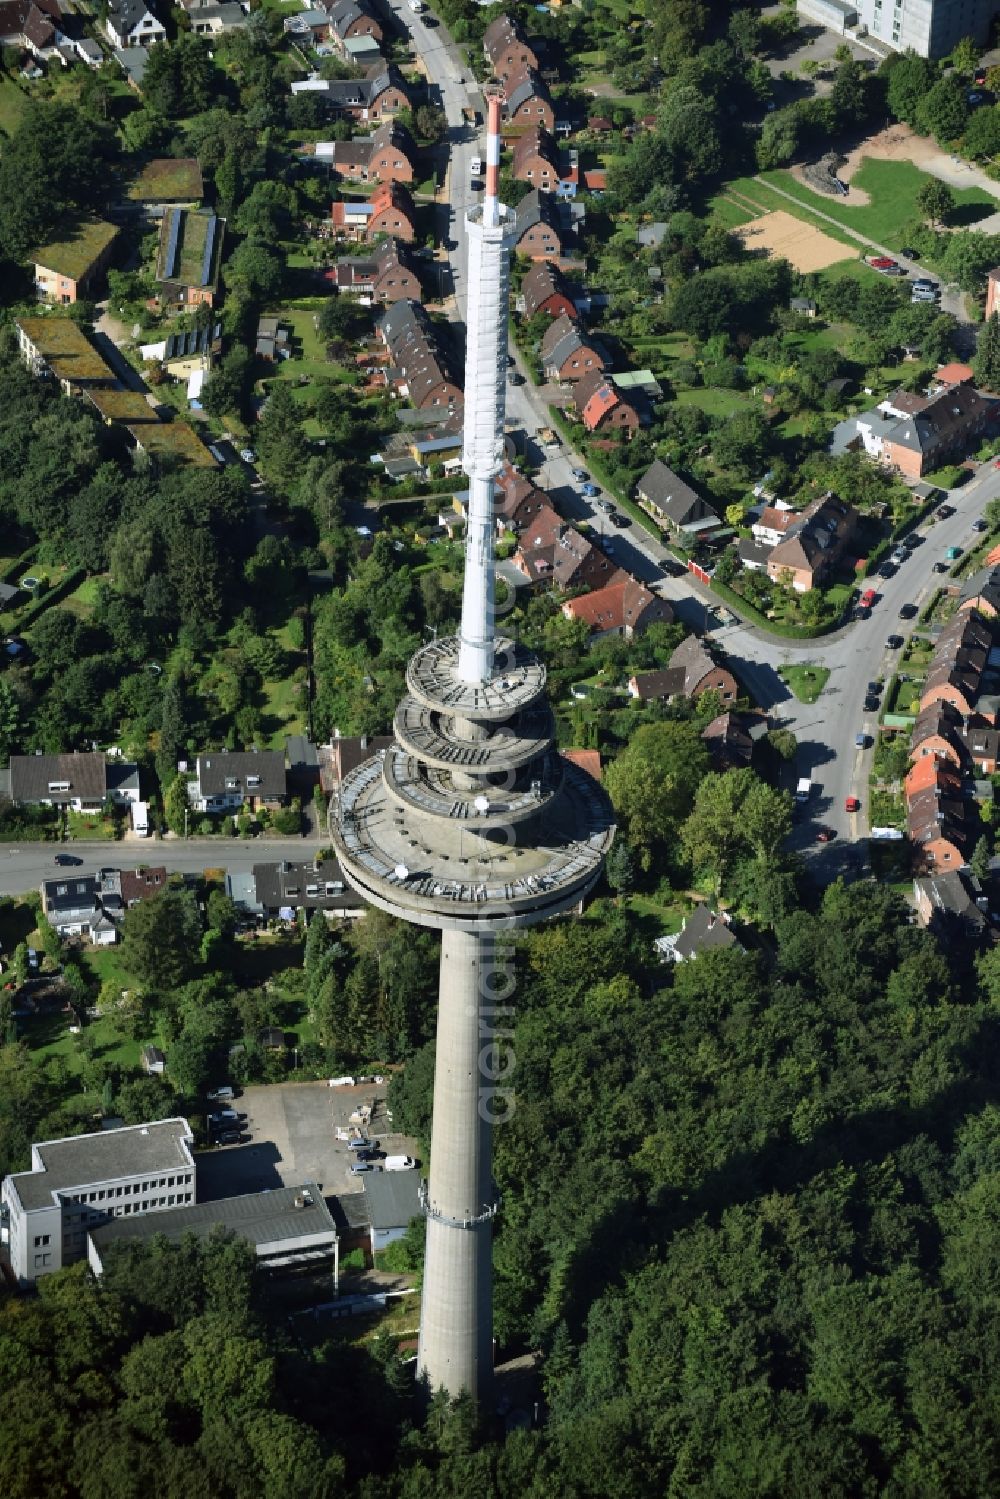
(265, 1219)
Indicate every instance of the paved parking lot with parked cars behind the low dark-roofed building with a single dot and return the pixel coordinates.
(293, 1140)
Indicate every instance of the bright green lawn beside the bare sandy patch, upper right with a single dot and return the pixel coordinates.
(894, 188)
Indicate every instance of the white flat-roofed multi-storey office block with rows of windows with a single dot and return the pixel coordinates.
(85, 1180)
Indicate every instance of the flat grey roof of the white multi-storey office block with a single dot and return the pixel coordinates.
(107, 1156)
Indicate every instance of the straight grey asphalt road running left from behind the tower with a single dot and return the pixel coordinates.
(25, 867)
